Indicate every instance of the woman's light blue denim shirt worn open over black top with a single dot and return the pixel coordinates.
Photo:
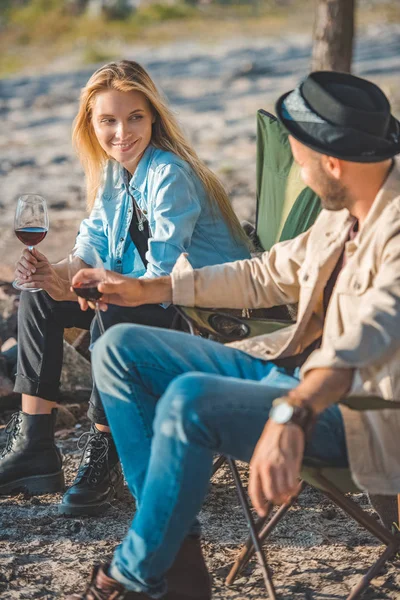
(180, 217)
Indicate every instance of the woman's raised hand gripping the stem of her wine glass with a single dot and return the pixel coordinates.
(33, 270)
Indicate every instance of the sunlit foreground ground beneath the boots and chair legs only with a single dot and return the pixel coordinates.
(316, 552)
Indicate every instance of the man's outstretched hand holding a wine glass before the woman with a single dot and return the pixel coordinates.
(115, 288)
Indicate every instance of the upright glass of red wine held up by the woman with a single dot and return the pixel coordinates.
(31, 225)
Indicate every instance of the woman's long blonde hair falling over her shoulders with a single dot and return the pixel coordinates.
(126, 76)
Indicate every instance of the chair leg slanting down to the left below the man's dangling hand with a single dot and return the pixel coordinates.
(264, 527)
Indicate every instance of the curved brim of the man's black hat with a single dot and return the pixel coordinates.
(295, 130)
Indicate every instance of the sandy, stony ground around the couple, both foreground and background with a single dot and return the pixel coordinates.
(316, 553)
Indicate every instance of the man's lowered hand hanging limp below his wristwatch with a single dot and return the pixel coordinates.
(275, 465)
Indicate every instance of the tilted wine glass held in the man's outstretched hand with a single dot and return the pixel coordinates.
(88, 289)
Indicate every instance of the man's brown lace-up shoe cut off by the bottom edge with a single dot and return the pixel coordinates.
(103, 587)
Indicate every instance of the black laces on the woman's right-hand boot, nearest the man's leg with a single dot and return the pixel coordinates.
(95, 446)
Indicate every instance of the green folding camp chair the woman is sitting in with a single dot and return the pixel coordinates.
(285, 208)
